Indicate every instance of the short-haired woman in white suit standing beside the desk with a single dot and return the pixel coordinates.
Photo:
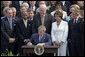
(59, 33)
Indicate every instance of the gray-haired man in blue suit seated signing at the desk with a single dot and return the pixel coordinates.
(41, 38)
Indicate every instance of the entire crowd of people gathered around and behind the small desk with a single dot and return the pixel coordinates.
(40, 26)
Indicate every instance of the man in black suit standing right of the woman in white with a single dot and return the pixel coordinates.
(74, 36)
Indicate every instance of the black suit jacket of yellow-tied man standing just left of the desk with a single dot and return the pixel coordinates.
(22, 32)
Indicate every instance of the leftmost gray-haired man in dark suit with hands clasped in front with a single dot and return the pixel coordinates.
(7, 30)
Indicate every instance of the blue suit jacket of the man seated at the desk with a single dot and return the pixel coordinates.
(46, 39)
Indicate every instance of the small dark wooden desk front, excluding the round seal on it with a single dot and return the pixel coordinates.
(47, 49)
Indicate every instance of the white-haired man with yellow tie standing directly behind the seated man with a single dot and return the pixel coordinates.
(42, 19)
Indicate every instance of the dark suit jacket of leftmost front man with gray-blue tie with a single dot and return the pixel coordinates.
(7, 32)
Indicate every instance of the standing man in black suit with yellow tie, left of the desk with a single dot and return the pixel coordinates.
(23, 31)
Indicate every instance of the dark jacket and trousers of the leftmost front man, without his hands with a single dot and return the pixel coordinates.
(6, 33)
